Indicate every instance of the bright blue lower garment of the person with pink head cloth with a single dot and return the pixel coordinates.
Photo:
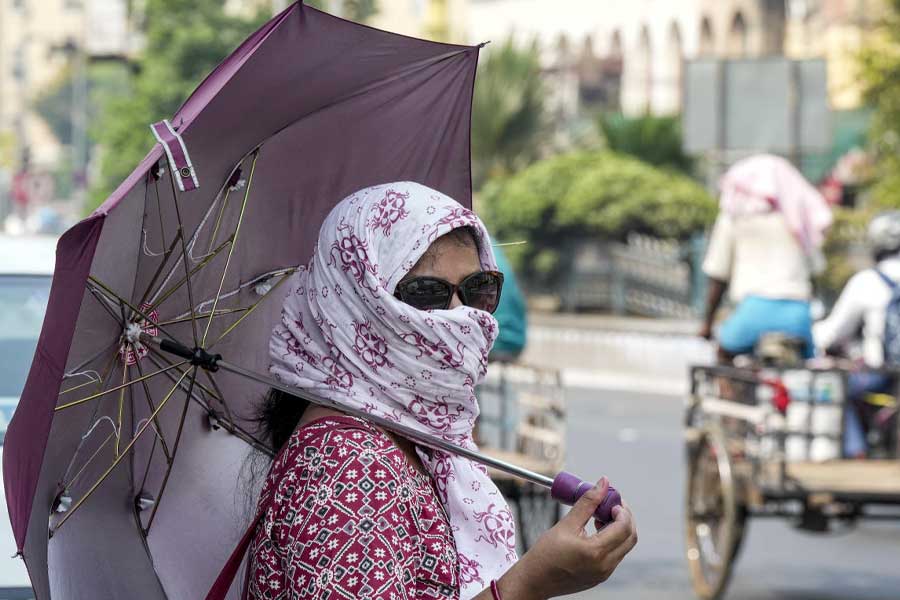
(755, 316)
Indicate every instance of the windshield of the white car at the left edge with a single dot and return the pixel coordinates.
(23, 300)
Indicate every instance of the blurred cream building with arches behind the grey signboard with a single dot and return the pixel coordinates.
(628, 55)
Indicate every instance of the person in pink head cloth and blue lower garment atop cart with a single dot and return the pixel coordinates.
(764, 248)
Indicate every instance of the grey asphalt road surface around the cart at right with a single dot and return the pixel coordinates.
(635, 439)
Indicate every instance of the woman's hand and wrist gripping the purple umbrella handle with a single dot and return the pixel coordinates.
(566, 559)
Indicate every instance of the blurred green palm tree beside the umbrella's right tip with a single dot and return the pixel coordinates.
(507, 111)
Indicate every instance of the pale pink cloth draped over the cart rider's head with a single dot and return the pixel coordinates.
(763, 183)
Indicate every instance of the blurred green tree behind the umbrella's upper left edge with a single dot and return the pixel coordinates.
(185, 41)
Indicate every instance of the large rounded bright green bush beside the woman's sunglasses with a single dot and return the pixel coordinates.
(560, 200)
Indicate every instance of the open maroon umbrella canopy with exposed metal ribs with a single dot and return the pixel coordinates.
(138, 459)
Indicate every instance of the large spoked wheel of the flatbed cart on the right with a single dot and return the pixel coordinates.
(714, 521)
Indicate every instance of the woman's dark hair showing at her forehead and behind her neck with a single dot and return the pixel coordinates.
(279, 412)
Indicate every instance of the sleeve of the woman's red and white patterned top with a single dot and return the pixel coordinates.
(340, 528)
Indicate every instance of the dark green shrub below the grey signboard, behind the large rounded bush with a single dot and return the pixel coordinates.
(655, 140)
